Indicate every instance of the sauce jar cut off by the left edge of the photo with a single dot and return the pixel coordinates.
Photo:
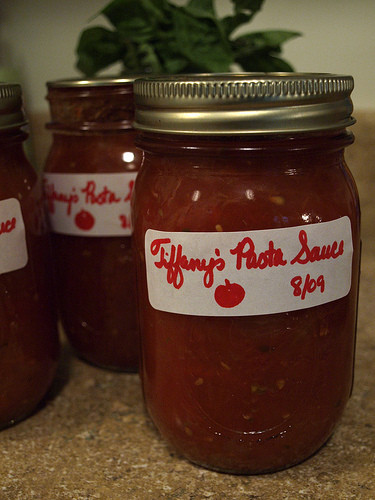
(29, 345)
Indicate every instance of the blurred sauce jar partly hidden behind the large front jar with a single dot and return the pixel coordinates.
(88, 181)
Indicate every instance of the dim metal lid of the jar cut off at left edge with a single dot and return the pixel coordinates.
(11, 106)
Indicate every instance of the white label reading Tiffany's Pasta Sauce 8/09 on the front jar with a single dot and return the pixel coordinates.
(251, 272)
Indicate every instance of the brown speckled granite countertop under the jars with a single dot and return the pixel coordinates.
(91, 439)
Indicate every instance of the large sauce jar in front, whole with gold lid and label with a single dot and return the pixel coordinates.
(246, 233)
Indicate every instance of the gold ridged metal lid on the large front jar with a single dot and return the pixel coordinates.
(245, 103)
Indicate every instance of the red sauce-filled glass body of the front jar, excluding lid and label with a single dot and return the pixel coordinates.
(257, 393)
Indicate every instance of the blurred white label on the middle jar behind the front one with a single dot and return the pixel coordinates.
(89, 204)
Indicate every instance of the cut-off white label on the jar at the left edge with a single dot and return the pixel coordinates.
(13, 249)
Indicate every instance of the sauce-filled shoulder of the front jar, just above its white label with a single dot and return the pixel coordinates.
(243, 194)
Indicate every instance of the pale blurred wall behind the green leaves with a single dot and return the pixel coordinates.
(38, 38)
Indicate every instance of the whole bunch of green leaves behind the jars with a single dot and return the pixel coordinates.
(160, 37)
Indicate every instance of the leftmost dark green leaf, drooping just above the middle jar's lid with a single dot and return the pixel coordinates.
(97, 48)
